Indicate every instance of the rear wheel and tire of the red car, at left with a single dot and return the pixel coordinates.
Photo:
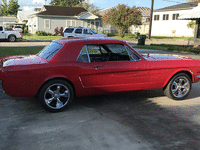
(56, 95)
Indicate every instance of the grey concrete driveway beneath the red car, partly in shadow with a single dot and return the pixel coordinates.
(133, 121)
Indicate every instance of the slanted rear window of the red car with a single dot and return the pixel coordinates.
(50, 50)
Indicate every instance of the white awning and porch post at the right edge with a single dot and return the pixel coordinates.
(193, 14)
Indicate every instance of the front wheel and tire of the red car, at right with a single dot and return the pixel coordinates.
(179, 87)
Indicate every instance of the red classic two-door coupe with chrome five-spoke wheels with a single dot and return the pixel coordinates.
(79, 67)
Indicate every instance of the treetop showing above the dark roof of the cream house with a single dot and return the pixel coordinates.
(67, 3)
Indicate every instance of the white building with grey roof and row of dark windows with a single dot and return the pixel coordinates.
(165, 21)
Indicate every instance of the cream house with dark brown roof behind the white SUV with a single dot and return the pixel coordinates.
(51, 17)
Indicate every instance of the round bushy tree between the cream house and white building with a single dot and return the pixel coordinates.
(122, 17)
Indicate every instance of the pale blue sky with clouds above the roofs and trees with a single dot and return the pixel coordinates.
(30, 4)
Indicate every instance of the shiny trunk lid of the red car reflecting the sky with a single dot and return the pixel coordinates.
(22, 60)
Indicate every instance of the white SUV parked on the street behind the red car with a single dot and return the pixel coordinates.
(80, 32)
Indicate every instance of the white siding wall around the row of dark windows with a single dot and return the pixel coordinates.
(170, 27)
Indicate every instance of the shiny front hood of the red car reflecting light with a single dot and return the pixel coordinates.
(155, 57)
